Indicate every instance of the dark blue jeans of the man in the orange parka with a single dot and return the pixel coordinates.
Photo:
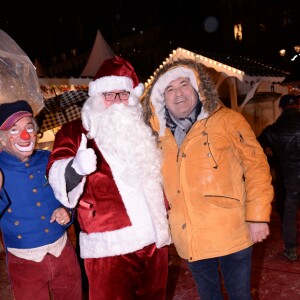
(235, 270)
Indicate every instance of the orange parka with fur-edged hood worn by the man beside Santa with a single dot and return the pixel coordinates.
(216, 182)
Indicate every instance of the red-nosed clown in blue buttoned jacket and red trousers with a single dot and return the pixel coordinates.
(41, 261)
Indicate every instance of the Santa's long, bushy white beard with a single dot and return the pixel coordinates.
(122, 131)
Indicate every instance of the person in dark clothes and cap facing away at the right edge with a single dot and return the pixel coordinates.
(283, 139)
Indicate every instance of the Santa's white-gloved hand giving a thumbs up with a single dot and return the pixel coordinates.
(85, 161)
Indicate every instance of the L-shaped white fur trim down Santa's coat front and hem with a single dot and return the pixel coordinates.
(128, 239)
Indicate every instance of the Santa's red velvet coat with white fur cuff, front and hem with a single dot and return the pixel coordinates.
(116, 215)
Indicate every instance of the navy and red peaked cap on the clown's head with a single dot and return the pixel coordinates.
(12, 112)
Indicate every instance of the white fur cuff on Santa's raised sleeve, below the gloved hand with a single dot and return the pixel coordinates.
(58, 183)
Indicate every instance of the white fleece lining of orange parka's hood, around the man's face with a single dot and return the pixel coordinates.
(157, 94)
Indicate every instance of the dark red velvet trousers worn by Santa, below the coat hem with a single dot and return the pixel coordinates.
(139, 275)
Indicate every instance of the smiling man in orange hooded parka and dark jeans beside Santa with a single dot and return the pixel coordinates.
(215, 175)
